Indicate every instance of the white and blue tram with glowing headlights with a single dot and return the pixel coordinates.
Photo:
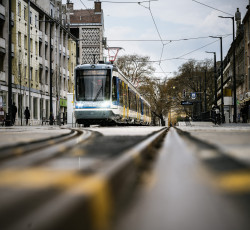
(104, 96)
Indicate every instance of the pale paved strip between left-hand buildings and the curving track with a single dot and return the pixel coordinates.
(18, 134)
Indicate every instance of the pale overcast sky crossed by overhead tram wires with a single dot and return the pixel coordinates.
(175, 19)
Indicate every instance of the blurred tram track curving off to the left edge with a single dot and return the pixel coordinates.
(26, 154)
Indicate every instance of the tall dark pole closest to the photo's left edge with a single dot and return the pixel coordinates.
(10, 70)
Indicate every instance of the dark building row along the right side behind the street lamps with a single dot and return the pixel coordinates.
(241, 76)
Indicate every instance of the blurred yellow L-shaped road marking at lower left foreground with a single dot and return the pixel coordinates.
(95, 187)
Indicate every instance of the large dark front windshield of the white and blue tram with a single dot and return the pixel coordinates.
(92, 85)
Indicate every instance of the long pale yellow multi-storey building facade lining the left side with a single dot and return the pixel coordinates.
(48, 57)
